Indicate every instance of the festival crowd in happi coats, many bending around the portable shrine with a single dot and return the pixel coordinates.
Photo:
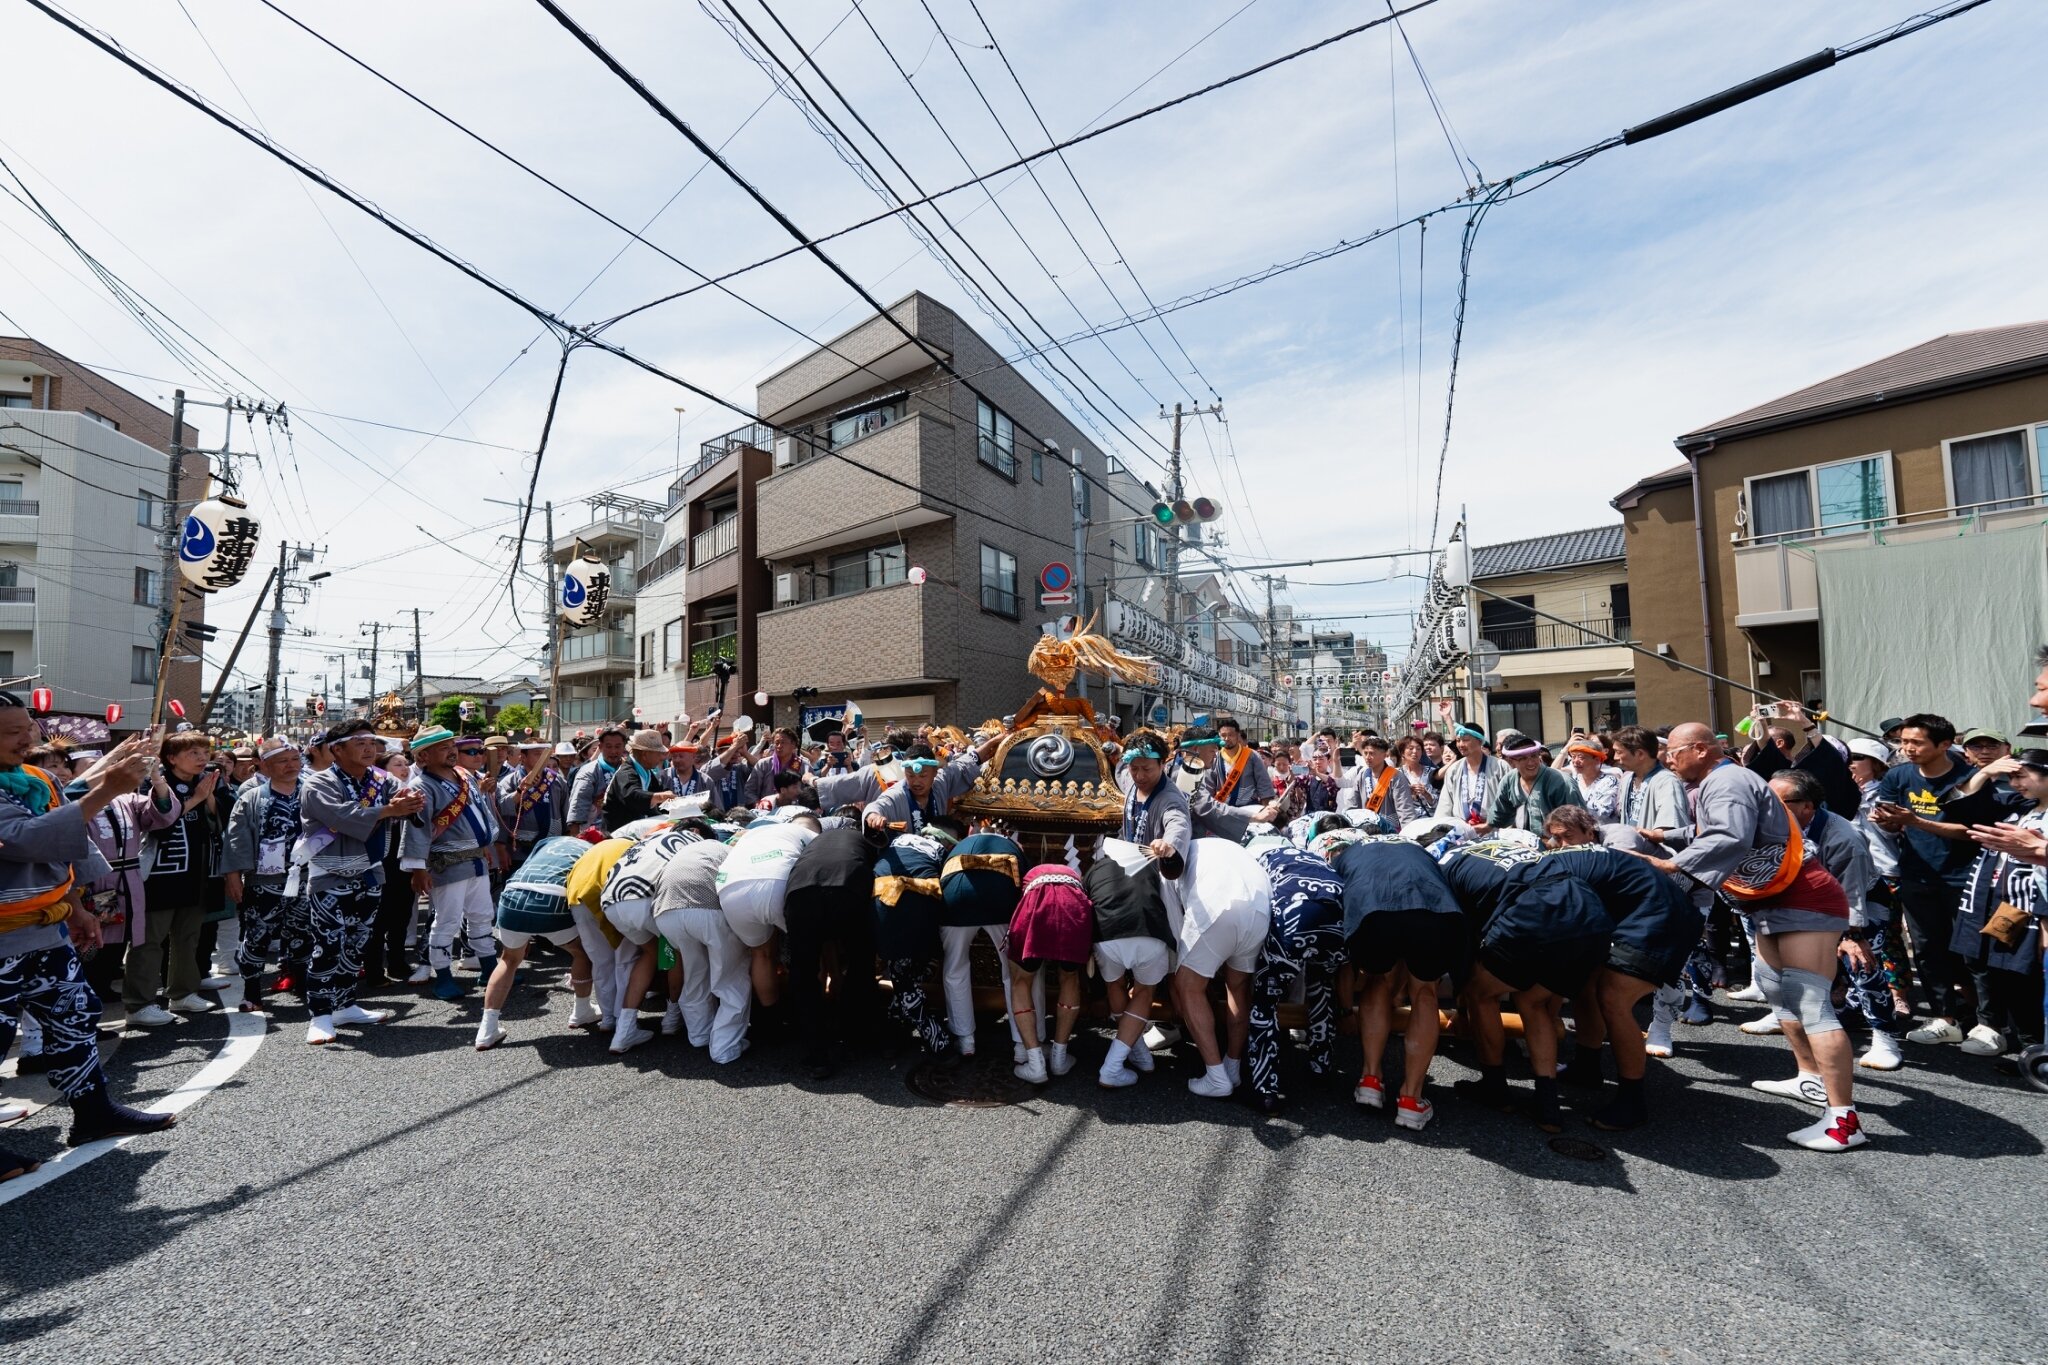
(765, 885)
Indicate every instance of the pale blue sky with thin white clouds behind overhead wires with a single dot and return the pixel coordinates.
(1641, 296)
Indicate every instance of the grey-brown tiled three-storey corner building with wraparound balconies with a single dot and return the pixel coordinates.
(882, 466)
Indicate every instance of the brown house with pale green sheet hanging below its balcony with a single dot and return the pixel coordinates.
(1760, 556)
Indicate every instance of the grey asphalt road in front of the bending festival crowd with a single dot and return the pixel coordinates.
(404, 1198)
